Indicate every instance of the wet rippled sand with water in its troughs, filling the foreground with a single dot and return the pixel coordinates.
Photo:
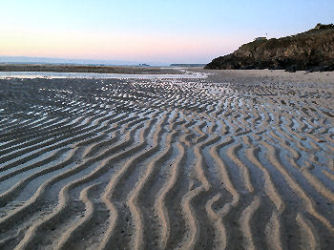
(165, 164)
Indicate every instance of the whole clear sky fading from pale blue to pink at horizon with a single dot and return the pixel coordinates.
(149, 31)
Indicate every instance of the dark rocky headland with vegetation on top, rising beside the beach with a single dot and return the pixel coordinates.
(311, 50)
